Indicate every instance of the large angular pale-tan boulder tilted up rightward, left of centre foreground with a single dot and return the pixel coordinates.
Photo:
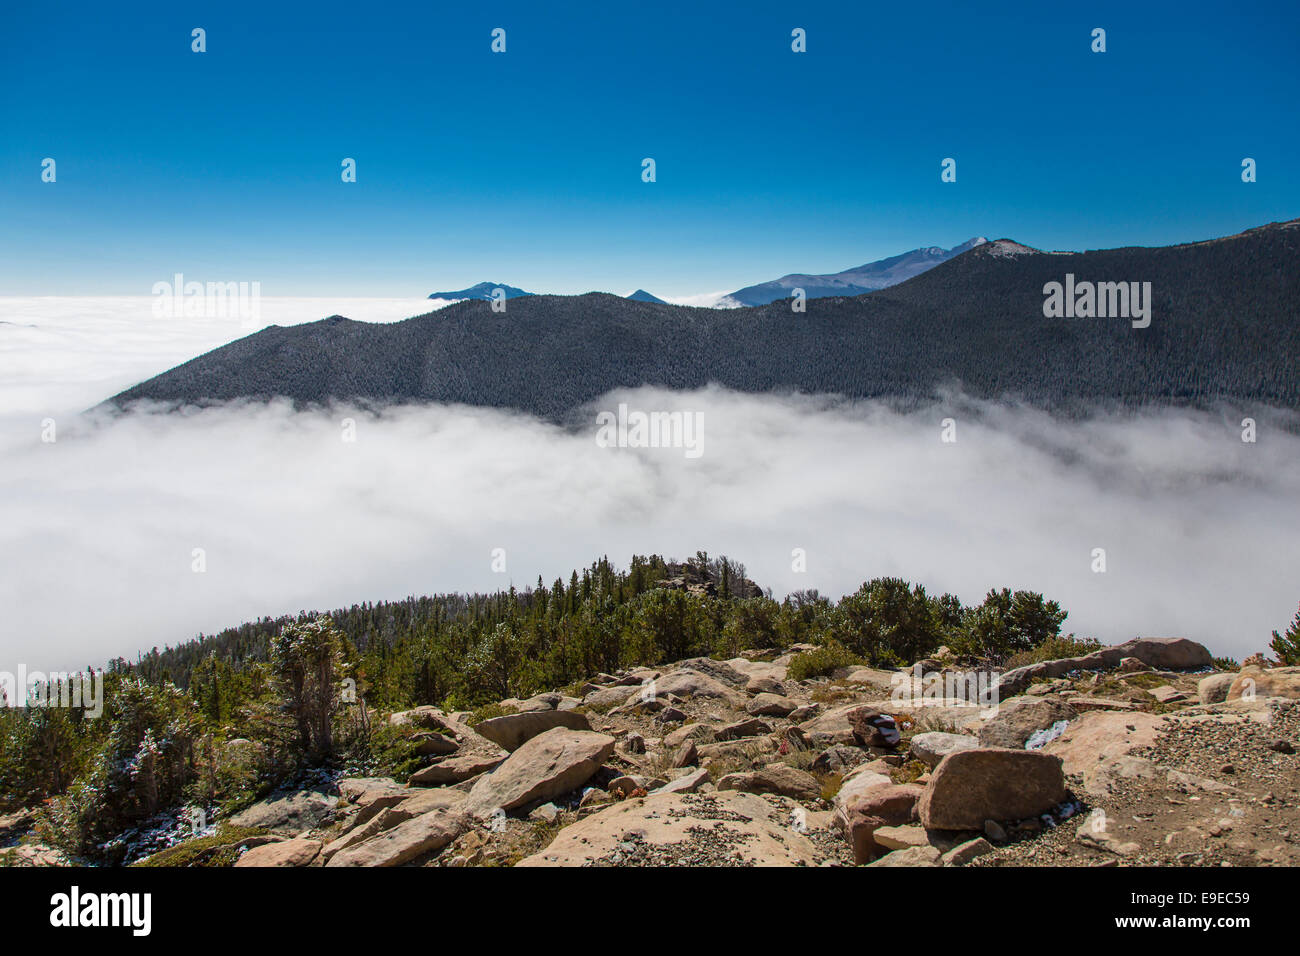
(548, 767)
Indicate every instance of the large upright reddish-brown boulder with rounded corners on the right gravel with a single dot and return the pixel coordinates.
(973, 786)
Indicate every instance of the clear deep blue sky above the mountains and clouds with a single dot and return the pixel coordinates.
(526, 167)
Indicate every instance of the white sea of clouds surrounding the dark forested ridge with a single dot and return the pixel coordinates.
(99, 529)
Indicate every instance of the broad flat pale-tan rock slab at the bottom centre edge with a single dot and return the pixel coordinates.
(726, 828)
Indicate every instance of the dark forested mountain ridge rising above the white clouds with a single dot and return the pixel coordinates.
(1225, 326)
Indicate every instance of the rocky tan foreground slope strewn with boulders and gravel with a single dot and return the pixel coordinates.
(1137, 755)
